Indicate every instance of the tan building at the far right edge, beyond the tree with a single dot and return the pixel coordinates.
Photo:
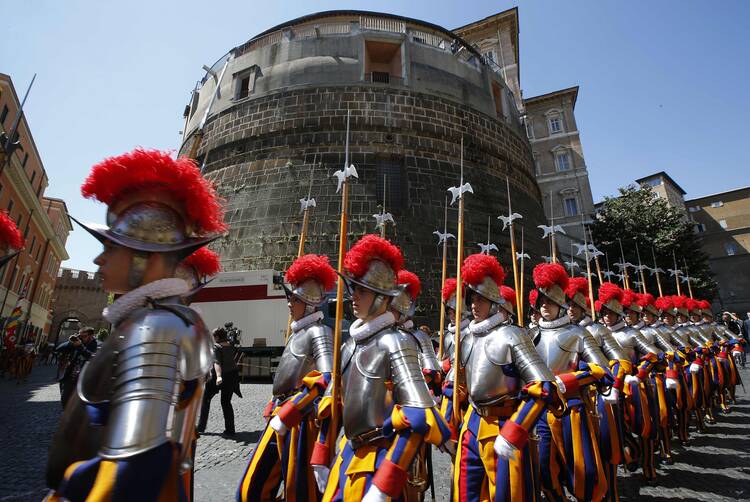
(722, 221)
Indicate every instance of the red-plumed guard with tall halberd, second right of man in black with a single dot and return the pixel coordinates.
(388, 411)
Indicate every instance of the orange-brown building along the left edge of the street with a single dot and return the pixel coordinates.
(43, 221)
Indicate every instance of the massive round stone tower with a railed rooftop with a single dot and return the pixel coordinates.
(414, 91)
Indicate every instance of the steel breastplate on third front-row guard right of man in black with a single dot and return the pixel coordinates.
(498, 362)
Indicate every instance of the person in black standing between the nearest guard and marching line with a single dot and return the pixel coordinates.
(224, 379)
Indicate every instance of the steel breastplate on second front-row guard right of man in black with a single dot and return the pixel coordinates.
(378, 372)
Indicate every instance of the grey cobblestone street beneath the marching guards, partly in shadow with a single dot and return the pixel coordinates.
(715, 467)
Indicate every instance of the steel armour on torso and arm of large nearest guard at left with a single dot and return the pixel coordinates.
(155, 351)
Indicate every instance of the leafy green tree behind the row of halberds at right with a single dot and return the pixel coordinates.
(639, 216)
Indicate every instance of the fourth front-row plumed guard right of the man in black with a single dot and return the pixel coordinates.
(577, 362)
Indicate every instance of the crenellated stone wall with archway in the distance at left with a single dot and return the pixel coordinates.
(78, 301)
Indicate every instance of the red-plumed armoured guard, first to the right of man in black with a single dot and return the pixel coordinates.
(286, 446)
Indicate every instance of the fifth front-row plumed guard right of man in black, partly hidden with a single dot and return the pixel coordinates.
(609, 407)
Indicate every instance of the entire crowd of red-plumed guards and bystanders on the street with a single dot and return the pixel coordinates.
(551, 409)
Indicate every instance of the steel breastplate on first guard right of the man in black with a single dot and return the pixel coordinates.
(308, 349)
